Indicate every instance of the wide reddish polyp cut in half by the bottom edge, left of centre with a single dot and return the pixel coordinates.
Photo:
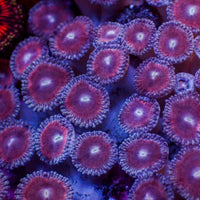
(44, 185)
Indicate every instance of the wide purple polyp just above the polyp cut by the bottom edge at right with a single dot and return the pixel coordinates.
(143, 154)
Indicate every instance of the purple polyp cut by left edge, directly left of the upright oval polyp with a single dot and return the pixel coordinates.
(17, 144)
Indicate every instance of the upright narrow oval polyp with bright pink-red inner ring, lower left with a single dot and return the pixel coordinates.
(54, 139)
